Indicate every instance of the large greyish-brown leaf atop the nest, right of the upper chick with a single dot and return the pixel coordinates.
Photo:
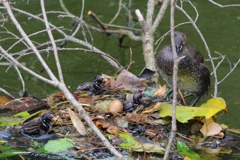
(129, 81)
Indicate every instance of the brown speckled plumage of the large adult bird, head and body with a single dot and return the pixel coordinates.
(193, 76)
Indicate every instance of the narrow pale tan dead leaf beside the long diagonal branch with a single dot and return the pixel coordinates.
(77, 123)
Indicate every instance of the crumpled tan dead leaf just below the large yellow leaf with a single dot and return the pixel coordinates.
(210, 128)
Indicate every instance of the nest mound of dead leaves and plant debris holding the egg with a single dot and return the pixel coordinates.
(134, 122)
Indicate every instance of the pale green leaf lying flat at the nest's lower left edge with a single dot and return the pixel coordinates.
(59, 145)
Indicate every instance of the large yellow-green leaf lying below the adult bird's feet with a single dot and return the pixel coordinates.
(185, 113)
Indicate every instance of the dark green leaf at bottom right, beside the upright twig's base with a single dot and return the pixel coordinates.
(183, 150)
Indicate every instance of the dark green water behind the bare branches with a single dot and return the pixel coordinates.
(219, 26)
